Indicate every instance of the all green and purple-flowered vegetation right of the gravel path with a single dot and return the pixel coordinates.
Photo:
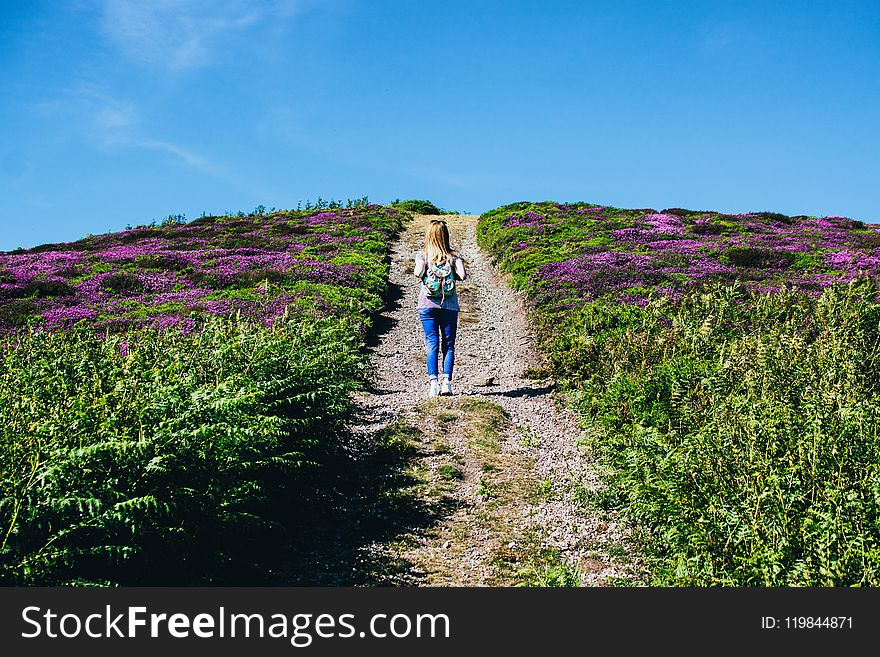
(727, 369)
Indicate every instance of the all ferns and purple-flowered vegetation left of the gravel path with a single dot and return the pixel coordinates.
(171, 396)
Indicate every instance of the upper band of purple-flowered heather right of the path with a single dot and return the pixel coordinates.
(566, 254)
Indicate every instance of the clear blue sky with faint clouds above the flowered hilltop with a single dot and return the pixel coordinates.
(116, 113)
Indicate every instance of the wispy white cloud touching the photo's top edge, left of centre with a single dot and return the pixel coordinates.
(180, 35)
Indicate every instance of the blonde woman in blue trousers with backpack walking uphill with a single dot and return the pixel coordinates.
(438, 267)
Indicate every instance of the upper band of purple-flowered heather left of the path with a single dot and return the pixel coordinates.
(260, 266)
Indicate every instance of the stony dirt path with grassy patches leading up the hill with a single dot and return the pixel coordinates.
(498, 465)
